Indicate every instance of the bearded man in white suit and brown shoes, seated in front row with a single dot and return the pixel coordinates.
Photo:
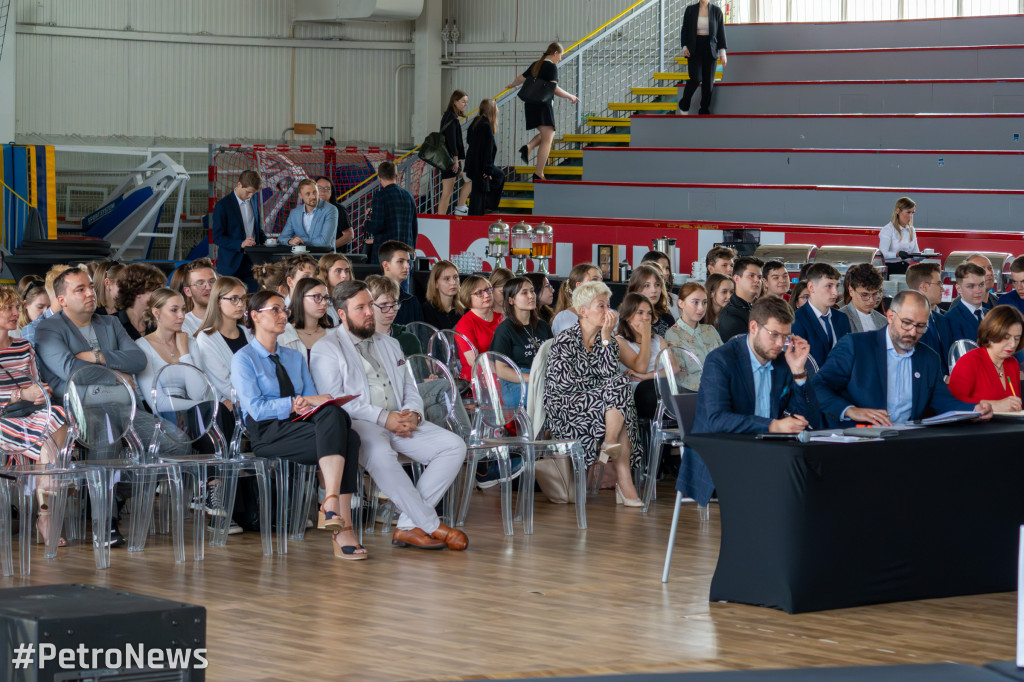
(354, 360)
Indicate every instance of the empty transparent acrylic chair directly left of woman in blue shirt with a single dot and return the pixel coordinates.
(187, 407)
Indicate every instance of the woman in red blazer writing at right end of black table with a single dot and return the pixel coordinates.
(991, 372)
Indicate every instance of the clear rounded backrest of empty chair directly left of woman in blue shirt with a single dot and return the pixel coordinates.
(186, 406)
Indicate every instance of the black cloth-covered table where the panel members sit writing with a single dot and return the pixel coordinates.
(930, 514)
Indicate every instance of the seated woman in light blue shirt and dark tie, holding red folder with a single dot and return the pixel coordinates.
(274, 388)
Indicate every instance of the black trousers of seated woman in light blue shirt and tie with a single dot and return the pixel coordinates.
(328, 433)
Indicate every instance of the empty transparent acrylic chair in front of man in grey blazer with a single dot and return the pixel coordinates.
(102, 411)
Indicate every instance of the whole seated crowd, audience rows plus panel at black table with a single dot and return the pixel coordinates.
(775, 358)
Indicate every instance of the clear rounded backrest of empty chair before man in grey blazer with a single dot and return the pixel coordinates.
(101, 407)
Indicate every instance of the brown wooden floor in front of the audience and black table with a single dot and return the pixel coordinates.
(560, 603)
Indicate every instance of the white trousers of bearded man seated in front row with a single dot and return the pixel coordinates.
(444, 454)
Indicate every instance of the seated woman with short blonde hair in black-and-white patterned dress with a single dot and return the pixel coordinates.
(586, 396)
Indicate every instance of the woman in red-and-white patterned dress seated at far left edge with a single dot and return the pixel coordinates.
(25, 438)
